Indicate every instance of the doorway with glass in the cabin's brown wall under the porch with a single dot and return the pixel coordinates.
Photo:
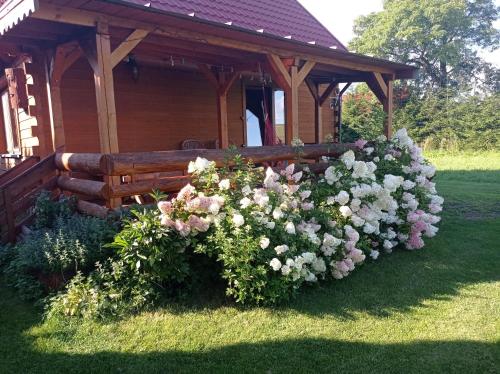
(255, 126)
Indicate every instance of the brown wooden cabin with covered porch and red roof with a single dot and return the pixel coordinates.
(90, 83)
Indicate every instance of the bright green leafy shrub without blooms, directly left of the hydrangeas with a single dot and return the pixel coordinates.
(149, 260)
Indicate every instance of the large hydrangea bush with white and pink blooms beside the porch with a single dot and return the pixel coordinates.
(276, 230)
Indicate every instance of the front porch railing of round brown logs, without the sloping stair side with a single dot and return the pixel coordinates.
(133, 164)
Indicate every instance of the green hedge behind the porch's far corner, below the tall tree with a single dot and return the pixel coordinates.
(436, 121)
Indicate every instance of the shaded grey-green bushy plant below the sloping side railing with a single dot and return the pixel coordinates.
(61, 244)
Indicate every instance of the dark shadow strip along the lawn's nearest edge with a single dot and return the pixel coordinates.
(287, 356)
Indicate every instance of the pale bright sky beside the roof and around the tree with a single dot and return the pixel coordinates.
(339, 15)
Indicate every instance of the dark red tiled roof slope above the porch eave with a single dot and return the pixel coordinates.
(283, 18)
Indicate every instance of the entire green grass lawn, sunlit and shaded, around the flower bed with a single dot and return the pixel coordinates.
(435, 310)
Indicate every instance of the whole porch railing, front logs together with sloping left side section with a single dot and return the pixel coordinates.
(84, 174)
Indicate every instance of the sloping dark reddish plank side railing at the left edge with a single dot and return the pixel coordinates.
(17, 195)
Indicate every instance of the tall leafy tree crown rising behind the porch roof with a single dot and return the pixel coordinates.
(442, 37)
